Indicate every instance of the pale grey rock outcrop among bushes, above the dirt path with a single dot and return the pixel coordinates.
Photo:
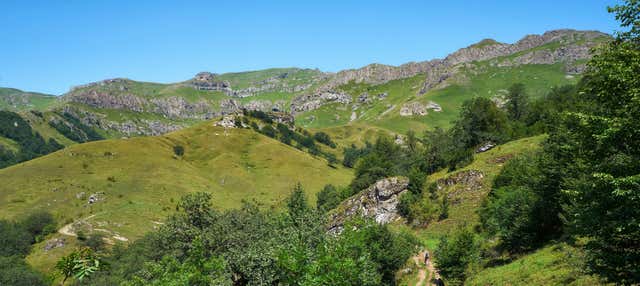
(379, 201)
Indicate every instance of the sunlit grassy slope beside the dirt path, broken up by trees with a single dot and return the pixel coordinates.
(555, 264)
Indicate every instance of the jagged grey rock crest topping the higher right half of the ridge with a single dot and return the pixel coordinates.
(558, 46)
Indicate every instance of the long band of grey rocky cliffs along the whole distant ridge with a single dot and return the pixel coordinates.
(208, 95)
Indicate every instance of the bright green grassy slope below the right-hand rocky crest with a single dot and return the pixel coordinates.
(483, 81)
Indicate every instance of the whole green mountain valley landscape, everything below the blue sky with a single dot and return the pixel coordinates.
(493, 159)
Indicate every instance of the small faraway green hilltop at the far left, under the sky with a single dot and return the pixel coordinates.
(18, 100)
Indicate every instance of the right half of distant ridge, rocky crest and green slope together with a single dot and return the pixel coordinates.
(428, 94)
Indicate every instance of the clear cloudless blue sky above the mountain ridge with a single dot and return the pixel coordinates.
(49, 46)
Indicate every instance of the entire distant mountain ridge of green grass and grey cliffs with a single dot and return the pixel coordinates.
(417, 95)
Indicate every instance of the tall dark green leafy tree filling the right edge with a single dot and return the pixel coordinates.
(605, 142)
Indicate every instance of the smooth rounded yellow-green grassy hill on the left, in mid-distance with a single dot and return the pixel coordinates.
(139, 180)
